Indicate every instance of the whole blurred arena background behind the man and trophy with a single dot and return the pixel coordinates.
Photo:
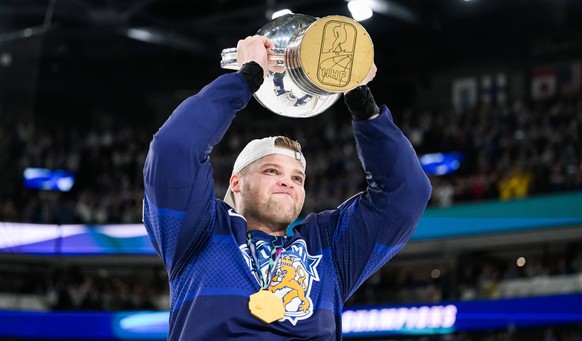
(489, 92)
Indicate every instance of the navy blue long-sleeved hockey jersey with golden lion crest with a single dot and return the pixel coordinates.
(203, 241)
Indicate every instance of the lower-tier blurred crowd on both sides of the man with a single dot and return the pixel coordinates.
(121, 286)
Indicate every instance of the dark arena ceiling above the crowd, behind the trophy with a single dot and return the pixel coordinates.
(86, 50)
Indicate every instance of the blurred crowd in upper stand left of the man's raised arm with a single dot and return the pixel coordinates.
(107, 164)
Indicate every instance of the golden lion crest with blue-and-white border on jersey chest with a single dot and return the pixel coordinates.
(292, 279)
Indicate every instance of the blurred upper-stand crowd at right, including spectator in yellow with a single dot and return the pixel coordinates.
(510, 151)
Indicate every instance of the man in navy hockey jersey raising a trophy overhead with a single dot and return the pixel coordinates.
(234, 272)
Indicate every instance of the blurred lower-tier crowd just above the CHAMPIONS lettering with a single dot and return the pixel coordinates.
(471, 277)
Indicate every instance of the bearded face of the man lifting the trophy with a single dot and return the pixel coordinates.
(272, 190)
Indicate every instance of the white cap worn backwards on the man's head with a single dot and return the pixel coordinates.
(255, 150)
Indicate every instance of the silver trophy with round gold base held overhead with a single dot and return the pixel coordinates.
(320, 59)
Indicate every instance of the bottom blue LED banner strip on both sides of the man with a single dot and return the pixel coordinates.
(442, 318)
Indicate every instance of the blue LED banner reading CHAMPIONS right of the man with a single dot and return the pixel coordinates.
(463, 316)
